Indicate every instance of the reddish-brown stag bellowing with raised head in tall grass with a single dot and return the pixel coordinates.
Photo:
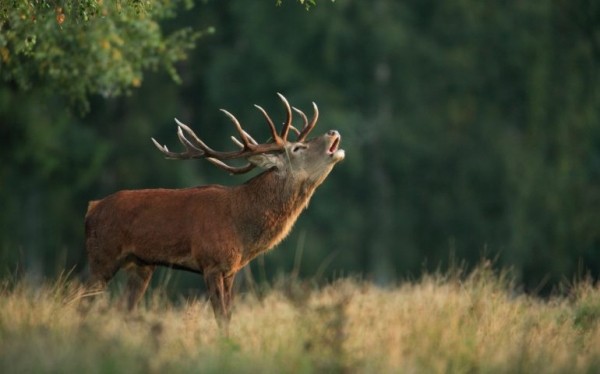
(212, 230)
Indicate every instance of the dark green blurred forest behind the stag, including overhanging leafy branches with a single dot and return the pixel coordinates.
(471, 128)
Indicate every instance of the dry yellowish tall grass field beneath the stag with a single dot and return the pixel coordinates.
(473, 323)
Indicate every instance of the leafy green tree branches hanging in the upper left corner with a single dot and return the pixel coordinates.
(78, 48)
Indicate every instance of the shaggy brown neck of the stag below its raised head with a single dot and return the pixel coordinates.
(271, 203)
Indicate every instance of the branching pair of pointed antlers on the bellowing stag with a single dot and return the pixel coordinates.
(196, 148)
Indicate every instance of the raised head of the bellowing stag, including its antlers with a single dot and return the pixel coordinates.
(299, 160)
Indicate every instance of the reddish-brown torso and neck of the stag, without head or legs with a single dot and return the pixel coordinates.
(217, 227)
